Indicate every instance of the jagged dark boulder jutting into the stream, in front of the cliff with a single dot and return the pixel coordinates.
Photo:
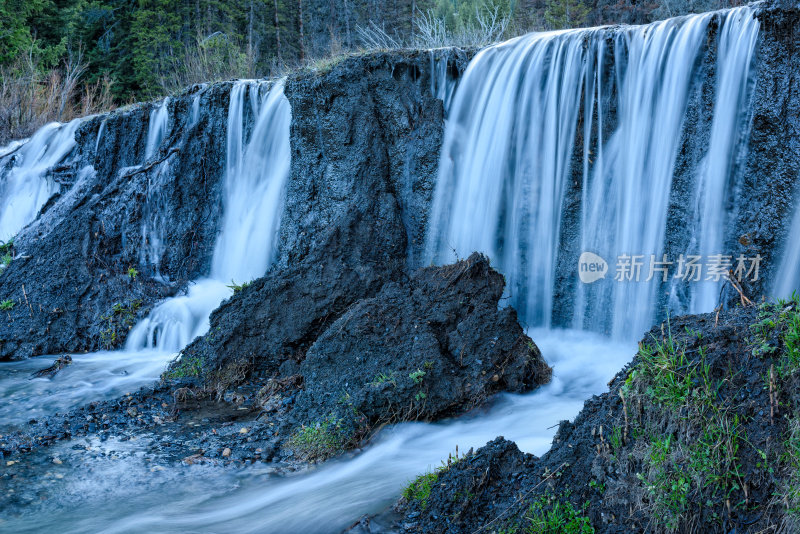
(425, 348)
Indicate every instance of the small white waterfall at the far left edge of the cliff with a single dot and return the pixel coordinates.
(24, 182)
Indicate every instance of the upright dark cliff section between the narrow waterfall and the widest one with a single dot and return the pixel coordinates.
(370, 122)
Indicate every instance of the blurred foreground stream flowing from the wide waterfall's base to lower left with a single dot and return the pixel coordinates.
(124, 492)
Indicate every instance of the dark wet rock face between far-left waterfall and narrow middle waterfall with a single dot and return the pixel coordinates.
(72, 263)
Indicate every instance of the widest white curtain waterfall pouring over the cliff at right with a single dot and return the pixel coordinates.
(564, 140)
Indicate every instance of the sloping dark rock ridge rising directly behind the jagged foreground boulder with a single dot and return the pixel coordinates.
(276, 318)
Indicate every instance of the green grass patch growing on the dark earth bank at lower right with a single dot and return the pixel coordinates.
(698, 459)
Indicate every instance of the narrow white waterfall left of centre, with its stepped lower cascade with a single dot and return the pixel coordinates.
(255, 177)
